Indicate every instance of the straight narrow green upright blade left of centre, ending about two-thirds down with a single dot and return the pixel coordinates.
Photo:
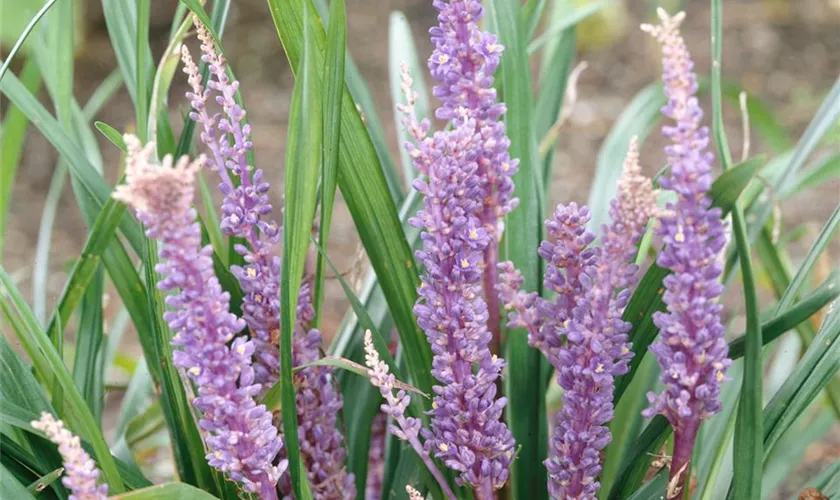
(333, 88)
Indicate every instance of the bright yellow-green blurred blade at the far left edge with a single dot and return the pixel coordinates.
(13, 136)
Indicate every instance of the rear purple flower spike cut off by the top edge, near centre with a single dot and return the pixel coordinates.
(463, 62)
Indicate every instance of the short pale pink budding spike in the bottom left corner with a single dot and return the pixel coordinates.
(81, 476)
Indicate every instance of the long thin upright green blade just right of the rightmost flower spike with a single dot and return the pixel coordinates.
(748, 445)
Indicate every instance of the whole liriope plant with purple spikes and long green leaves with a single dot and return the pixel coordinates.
(540, 352)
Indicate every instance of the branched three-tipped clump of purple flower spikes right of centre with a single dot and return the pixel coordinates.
(592, 286)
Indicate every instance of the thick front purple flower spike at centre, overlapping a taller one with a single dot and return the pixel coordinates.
(466, 431)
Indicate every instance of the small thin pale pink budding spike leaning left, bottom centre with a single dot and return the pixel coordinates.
(405, 428)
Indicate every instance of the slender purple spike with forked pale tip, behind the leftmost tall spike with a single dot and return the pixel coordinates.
(246, 208)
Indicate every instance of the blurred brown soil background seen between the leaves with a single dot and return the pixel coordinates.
(784, 52)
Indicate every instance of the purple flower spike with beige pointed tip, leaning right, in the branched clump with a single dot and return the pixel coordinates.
(596, 349)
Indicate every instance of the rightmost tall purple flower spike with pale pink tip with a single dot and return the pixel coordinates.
(691, 349)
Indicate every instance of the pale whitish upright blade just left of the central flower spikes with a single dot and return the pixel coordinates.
(402, 50)
